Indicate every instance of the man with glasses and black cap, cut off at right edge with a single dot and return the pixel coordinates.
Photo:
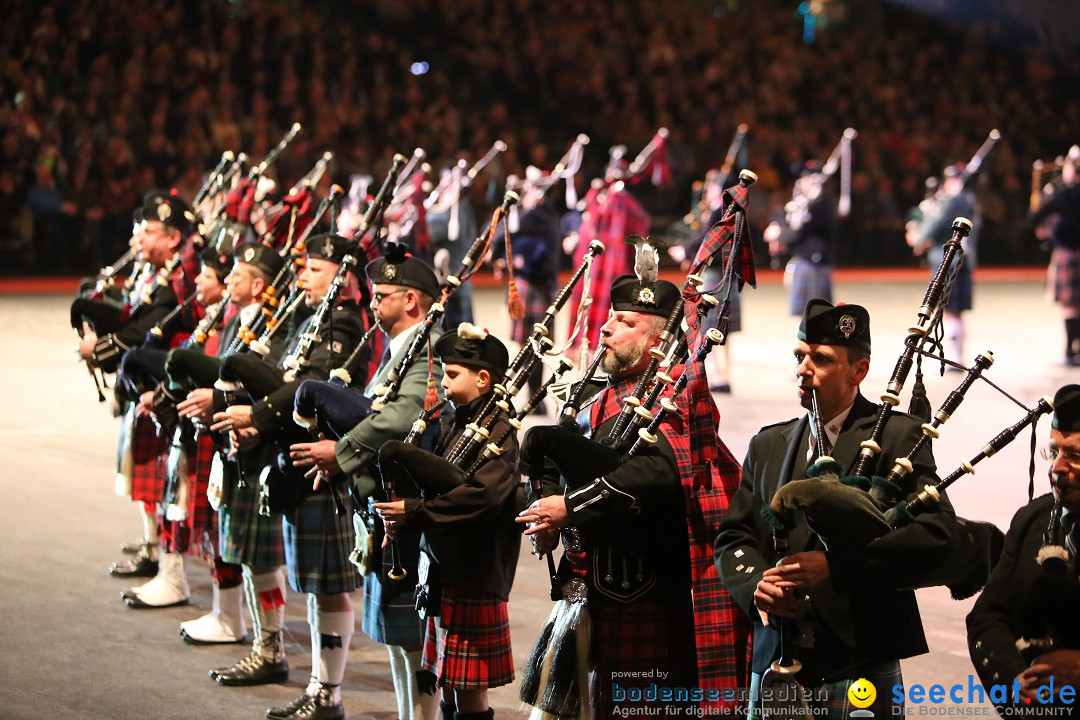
(1024, 629)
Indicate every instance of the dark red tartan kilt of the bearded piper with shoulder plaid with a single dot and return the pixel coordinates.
(631, 642)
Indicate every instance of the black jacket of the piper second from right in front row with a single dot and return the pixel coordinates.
(868, 610)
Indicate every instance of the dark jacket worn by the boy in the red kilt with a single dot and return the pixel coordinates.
(470, 531)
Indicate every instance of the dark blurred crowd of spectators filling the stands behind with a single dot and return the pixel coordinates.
(105, 100)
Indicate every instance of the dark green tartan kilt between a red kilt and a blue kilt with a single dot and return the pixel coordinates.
(246, 537)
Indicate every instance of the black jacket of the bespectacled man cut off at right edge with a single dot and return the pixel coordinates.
(1023, 601)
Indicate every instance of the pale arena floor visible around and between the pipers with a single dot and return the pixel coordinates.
(70, 649)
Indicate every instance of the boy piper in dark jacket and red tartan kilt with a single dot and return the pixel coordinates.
(469, 534)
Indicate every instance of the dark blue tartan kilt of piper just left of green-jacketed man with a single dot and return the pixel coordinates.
(318, 544)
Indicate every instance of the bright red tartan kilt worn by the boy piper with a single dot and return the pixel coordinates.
(468, 646)
